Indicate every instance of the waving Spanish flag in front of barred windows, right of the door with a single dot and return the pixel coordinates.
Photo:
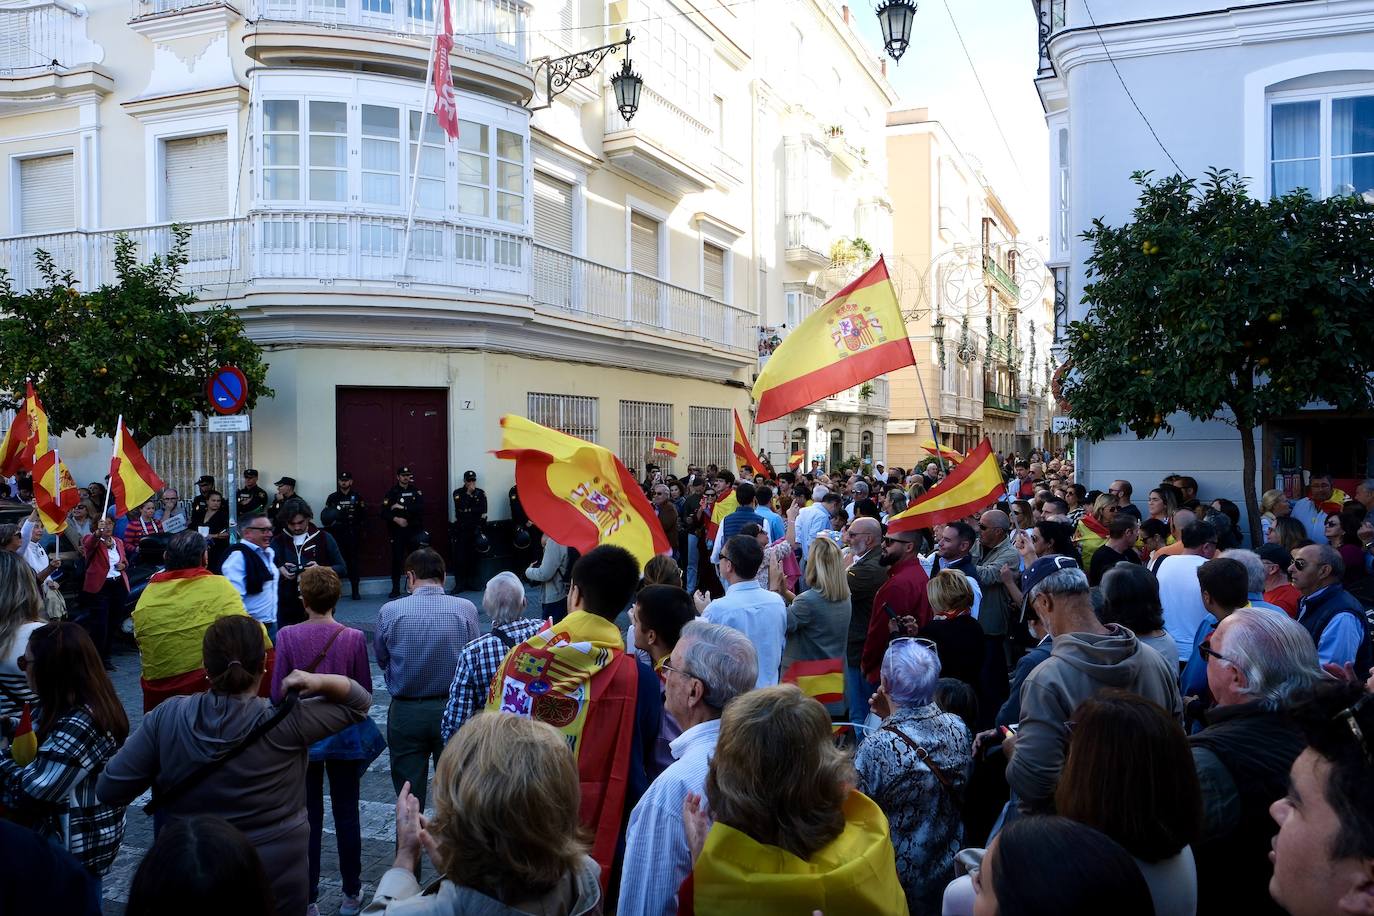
(579, 494)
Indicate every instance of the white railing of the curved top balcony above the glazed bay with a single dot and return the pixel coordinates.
(495, 27)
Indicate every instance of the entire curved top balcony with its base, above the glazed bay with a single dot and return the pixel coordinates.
(394, 36)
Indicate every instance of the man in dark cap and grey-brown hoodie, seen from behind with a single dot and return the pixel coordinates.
(1089, 657)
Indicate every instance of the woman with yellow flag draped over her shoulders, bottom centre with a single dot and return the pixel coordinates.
(780, 792)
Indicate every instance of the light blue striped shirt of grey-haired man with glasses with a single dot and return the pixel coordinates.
(657, 859)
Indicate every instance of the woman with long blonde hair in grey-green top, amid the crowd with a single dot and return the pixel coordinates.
(818, 620)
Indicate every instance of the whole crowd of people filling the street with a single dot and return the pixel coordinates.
(1063, 702)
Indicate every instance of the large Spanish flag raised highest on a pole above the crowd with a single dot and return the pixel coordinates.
(855, 337)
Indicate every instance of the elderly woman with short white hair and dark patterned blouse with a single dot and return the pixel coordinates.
(916, 768)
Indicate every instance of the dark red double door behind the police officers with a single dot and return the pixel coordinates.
(380, 431)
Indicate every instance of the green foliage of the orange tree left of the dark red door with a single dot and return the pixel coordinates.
(141, 347)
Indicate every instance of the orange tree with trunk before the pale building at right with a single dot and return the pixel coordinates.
(1218, 306)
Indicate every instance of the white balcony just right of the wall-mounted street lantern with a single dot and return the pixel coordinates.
(664, 145)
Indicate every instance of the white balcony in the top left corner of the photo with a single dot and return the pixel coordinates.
(46, 56)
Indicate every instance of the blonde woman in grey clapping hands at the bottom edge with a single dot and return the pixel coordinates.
(505, 840)
